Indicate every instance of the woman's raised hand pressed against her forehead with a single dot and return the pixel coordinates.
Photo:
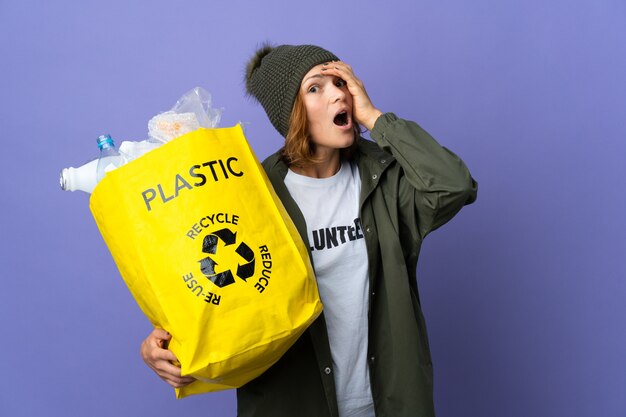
(363, 110)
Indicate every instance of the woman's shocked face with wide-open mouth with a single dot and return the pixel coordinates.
(329, 110)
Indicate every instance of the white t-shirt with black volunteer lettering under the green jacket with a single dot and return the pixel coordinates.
(331, 209)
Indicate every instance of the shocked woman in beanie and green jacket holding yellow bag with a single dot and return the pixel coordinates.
(364, 208)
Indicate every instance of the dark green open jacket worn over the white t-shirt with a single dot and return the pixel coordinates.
(410, 186)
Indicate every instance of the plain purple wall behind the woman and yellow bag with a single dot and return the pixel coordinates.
(524, 291)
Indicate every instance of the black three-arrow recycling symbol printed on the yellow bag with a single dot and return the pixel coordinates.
(209, 267)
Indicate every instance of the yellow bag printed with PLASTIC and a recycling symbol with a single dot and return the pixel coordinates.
(210, 255)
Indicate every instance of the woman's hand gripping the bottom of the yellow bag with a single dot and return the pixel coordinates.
(160, 360)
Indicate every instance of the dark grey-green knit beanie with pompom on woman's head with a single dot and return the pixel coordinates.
(274, 74)
